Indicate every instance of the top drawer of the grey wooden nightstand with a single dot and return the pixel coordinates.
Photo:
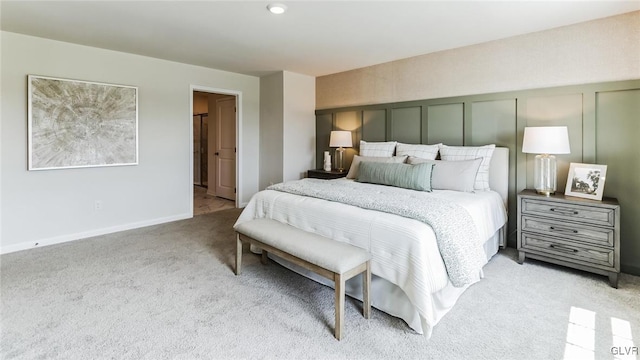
(588, 214)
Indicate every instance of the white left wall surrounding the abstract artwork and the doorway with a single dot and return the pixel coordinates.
(52, 206)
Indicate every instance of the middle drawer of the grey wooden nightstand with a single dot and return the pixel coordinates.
(573, 231)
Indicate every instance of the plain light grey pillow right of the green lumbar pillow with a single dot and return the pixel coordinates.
(451, 175)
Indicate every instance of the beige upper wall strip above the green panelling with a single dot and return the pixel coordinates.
(596, 51)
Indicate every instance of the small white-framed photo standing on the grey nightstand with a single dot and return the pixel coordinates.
(586, 181)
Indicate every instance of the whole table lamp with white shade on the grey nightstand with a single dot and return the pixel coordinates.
(545, 141)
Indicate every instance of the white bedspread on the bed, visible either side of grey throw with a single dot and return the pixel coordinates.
(404, 251)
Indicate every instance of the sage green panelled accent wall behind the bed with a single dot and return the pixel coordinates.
(603, 121)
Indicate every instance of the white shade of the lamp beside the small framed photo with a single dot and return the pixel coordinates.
(546, 140)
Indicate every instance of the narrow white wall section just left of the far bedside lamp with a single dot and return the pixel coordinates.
(299, 125)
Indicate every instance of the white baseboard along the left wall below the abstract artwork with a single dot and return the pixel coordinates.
(87, 234)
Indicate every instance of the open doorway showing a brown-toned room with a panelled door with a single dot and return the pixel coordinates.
(214, 151)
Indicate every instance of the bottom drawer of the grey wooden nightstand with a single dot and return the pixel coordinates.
(579, 253)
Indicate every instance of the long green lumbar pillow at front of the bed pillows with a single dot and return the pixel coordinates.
(414, 177)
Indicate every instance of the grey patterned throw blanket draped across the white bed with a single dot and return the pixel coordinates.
(458, 240)
